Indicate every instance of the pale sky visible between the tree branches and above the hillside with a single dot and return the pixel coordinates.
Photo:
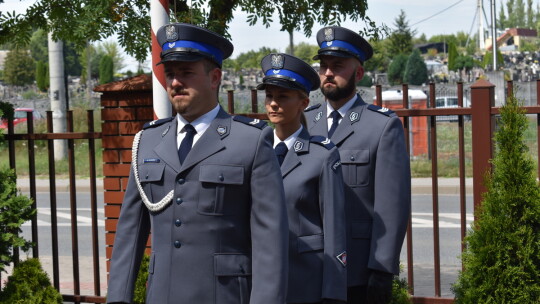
(431, 17)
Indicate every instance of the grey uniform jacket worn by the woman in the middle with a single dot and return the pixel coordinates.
(316, 210)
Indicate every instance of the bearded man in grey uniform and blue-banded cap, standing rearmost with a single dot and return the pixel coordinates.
(374, 161)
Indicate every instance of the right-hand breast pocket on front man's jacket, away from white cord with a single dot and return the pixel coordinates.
(217, 182)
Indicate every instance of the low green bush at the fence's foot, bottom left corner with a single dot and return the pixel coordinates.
(29, 284)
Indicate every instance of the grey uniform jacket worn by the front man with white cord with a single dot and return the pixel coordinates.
(223, 237)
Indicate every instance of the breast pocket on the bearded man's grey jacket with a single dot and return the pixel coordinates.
(355, 166)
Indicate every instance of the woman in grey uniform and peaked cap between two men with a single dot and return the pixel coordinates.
(313, 183)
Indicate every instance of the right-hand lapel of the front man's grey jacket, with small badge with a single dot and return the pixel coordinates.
(210, 142)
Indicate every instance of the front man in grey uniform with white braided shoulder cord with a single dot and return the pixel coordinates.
(208, 186)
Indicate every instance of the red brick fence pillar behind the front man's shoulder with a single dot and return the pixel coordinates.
(126, 106)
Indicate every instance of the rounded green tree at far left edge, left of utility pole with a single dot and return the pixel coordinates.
(19, 68)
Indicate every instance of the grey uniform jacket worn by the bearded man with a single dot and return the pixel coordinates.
(376, 172)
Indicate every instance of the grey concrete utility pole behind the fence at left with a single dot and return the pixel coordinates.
(57, 94)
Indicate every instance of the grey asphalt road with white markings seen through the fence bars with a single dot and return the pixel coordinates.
(423, 250)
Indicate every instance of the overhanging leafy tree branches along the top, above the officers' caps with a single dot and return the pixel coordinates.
(79, 21)
